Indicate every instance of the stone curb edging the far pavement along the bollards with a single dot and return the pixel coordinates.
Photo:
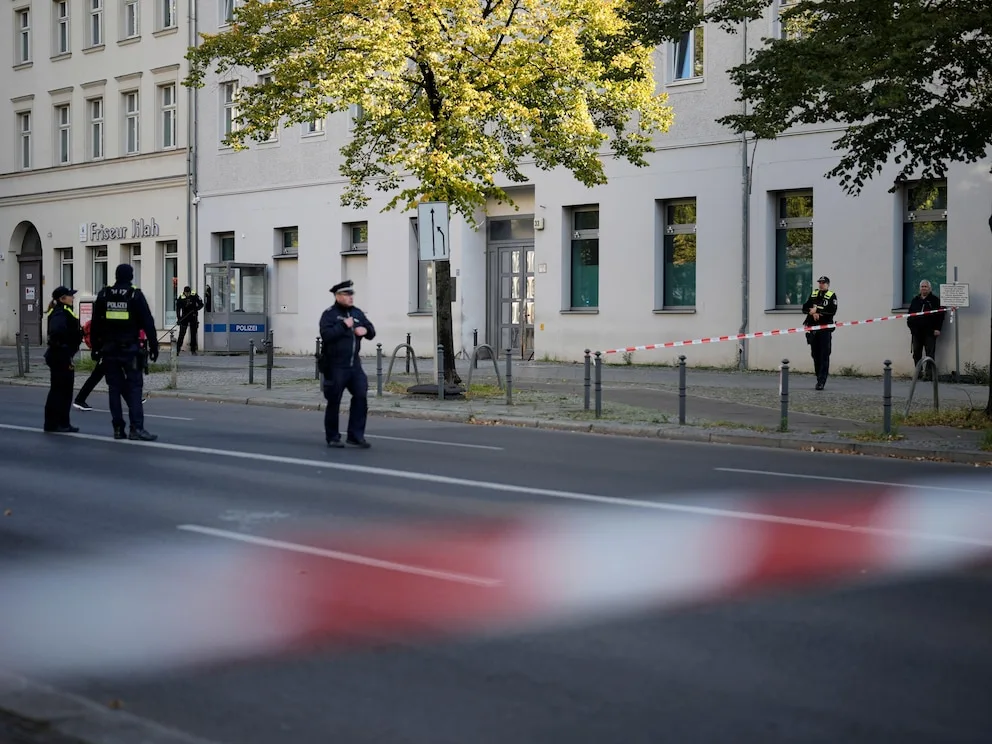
(871, 449)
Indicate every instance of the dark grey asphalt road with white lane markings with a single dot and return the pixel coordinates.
(904, 662)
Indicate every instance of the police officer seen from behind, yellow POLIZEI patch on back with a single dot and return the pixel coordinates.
(120, 313)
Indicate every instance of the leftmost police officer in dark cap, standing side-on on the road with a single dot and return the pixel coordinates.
(64, 338)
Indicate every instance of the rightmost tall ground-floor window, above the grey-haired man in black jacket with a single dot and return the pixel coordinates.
(924, 237)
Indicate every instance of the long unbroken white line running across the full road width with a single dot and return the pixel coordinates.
(526, 490)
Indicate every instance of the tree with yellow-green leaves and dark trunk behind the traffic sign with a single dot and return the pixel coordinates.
(455, 95)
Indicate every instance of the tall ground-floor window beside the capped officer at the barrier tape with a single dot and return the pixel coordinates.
(793, 249)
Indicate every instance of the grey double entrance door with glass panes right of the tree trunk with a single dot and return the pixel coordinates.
(516, 299)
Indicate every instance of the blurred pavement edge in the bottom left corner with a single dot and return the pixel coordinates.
(78, 720)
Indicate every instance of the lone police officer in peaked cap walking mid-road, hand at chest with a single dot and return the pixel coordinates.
(342, 328)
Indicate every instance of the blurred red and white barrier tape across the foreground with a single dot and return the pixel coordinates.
(171, 606)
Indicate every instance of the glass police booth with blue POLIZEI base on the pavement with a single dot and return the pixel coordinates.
(235, 306)
